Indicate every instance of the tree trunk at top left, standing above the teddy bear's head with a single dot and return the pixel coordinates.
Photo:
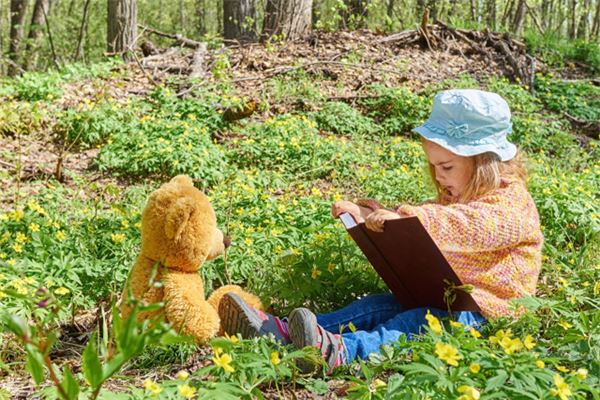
(122, 26)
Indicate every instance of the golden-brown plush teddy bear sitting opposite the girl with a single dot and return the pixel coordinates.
(179, 233)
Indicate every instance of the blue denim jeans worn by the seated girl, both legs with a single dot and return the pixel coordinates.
(380, 319)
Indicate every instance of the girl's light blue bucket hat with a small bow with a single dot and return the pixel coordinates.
(469, 122)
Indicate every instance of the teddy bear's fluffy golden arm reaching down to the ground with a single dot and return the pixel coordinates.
(186, 307)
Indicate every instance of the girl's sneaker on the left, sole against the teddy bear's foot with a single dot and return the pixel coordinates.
(239, 317)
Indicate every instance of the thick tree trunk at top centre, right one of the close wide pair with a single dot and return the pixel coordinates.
(290, 18)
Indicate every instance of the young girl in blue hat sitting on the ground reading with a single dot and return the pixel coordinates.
(483, 220)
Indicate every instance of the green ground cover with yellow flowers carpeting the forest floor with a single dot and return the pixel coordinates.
(66, 247)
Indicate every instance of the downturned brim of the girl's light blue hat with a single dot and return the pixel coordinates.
(505, 150)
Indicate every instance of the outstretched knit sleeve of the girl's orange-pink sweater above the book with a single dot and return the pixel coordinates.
(499, 220)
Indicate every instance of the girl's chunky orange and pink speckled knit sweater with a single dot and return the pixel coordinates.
(493, 243)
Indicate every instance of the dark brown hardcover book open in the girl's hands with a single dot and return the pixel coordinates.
(410, 263)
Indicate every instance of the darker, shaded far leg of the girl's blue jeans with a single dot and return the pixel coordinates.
(365, 314)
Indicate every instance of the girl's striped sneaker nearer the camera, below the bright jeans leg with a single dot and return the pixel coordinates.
(304, 331)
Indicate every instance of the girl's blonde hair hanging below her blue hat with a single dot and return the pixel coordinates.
(488, 170)
